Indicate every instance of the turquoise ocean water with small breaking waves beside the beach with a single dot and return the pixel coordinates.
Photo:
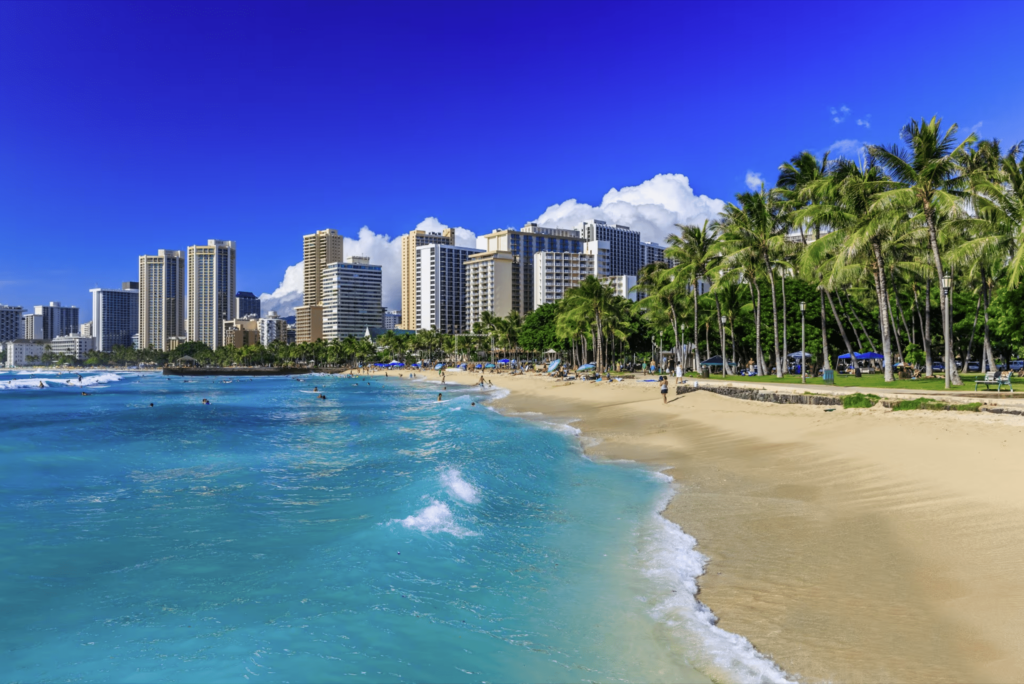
(376, 536)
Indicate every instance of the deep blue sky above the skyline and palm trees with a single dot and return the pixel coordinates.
(131, 127)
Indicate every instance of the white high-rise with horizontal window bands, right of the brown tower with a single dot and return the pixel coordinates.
(352, 298)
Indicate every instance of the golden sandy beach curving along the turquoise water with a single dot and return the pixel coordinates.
(848, 545)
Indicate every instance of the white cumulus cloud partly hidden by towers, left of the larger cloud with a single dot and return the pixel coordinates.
(383, 251)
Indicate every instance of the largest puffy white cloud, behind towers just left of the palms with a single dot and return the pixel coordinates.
(654, 208)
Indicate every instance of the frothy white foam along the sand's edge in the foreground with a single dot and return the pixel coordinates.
(671, 560)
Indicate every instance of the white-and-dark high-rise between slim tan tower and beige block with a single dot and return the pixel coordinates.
(441, 289)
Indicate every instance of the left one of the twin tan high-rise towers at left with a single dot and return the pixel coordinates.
(161, 300)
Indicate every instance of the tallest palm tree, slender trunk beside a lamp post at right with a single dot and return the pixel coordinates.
(928, 181)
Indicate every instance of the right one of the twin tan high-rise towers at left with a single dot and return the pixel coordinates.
(211, 290)
